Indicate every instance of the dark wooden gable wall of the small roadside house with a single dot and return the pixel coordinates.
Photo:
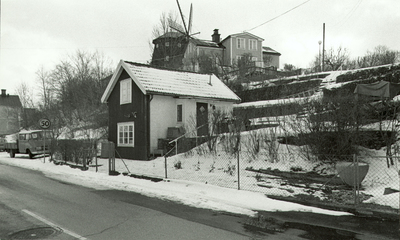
(123, 113)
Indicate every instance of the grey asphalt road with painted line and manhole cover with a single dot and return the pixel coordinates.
(33, 206)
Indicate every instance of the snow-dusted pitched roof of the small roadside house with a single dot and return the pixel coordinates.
(151, 80)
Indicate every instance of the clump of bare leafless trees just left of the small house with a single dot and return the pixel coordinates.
(70, 93)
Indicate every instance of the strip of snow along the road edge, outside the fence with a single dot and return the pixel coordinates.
(186, 192)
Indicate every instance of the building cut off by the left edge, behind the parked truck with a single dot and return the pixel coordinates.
(10, 112)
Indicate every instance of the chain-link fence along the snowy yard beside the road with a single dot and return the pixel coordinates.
(348, 180)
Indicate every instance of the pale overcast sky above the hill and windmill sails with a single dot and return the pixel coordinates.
(37, 33)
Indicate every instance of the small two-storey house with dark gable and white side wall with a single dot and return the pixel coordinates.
(145, 103)
